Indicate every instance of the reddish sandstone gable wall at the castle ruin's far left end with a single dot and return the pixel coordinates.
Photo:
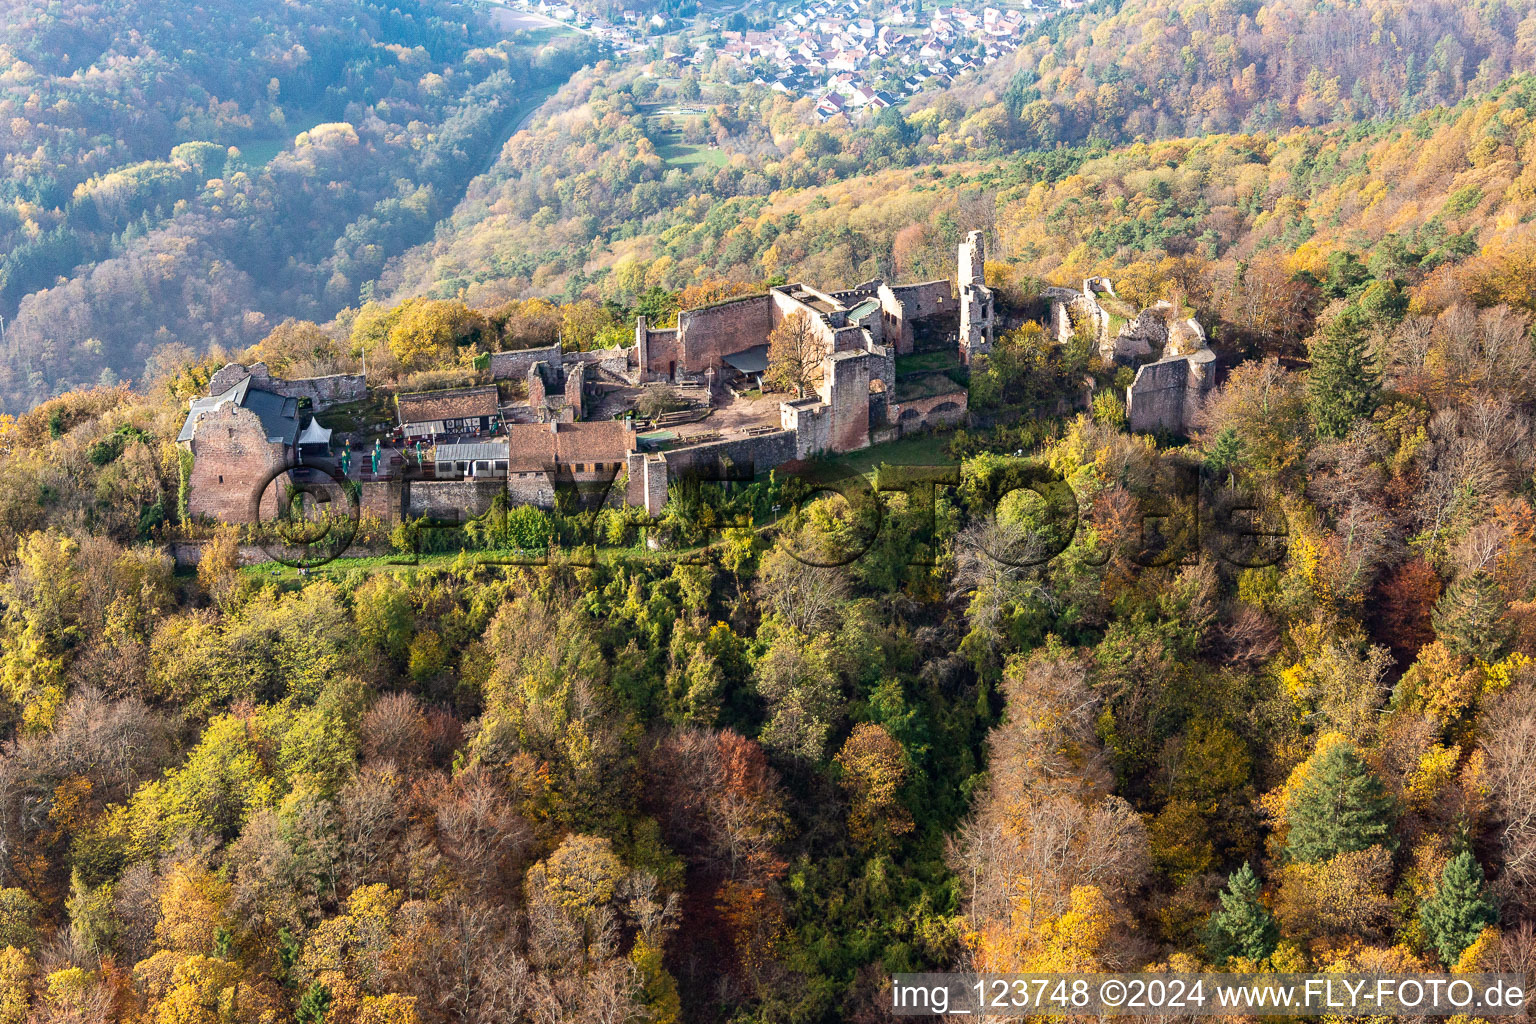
(231, 458)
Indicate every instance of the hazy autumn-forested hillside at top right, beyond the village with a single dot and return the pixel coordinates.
(1130, 70)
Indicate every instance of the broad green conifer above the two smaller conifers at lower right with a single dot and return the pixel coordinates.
(1340, 808)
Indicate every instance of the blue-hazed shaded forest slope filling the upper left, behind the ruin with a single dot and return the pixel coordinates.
(187, 176)
